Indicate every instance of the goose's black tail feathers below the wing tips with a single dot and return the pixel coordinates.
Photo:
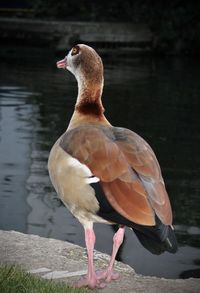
(157, 239)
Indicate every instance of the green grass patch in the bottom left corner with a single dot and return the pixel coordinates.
(14, 280)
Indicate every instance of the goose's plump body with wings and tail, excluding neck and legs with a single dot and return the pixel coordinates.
(130, 189)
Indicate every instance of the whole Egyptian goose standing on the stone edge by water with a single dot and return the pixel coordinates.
(107, 174)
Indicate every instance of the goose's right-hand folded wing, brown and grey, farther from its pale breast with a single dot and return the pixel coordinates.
(143, 160)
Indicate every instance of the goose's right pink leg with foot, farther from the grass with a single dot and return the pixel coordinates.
(108, 275)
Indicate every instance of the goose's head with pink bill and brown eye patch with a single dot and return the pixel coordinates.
(84, 63)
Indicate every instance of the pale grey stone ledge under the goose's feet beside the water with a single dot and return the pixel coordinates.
(65, 261)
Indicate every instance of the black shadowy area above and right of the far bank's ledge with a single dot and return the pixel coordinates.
(175, 24)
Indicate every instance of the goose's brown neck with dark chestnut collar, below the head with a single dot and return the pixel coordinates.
(88, 108)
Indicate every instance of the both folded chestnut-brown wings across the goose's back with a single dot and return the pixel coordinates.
(127, 168)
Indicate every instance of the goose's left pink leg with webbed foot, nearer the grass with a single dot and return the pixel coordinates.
(90, 280)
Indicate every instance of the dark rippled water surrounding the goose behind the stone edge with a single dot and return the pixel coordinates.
(158, 99)
